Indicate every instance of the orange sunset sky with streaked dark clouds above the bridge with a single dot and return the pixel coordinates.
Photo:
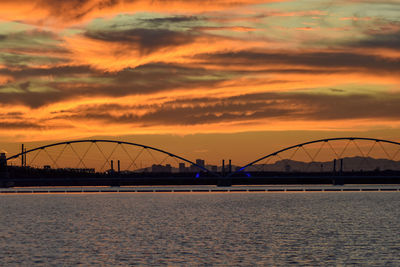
(211, 79)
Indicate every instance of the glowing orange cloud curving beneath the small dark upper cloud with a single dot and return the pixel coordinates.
(119, 55)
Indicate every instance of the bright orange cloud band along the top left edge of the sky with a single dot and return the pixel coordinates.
(50, 13)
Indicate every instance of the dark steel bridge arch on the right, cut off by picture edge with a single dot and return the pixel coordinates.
(312, 142)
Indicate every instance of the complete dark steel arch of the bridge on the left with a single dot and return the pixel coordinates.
(115, 142)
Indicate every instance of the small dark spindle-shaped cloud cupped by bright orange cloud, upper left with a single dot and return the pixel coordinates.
(145, 40)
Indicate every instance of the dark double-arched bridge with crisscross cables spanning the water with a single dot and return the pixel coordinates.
(351, 156)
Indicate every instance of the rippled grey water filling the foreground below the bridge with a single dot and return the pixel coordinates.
(122, 229)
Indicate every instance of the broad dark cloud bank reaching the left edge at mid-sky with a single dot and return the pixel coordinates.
(87, 82)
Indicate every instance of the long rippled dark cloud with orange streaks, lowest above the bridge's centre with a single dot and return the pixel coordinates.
(191, 112)
